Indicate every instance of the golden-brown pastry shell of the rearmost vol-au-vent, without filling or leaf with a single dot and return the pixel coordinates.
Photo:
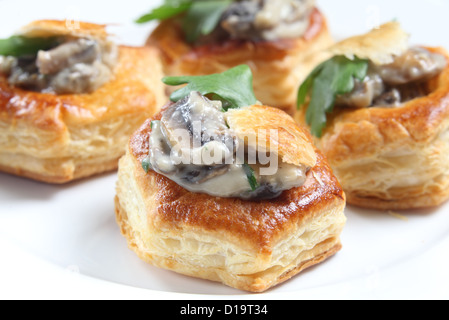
(278, 66)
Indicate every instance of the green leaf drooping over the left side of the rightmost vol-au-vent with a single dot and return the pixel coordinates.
(332, 78)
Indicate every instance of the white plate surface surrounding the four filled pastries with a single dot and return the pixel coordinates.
(63, 242)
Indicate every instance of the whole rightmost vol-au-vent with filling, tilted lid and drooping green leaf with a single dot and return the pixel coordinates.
(379, 109)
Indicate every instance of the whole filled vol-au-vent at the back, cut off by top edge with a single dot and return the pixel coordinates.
(273, 37)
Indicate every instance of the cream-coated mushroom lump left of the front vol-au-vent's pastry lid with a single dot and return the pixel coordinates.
(192, 140)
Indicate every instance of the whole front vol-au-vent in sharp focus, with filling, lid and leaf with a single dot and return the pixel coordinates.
(220, 187)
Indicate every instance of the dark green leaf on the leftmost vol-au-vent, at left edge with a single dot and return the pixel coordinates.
(17, 46)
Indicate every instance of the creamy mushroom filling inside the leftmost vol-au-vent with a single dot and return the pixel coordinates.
(74, 66)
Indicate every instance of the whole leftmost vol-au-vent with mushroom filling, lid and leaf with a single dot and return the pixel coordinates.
(70, 98)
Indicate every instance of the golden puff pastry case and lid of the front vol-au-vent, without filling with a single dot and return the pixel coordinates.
(248, 245)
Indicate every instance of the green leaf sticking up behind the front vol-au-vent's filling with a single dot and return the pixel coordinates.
(234, 86)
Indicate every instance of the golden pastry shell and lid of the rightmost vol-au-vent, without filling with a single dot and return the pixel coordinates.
(390, 158)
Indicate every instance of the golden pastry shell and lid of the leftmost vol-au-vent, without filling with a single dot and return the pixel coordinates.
(60, 138)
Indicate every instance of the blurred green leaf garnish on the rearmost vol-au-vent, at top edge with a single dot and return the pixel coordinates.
(201, 16)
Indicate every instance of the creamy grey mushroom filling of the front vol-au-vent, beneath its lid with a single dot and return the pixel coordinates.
(193, 146)
